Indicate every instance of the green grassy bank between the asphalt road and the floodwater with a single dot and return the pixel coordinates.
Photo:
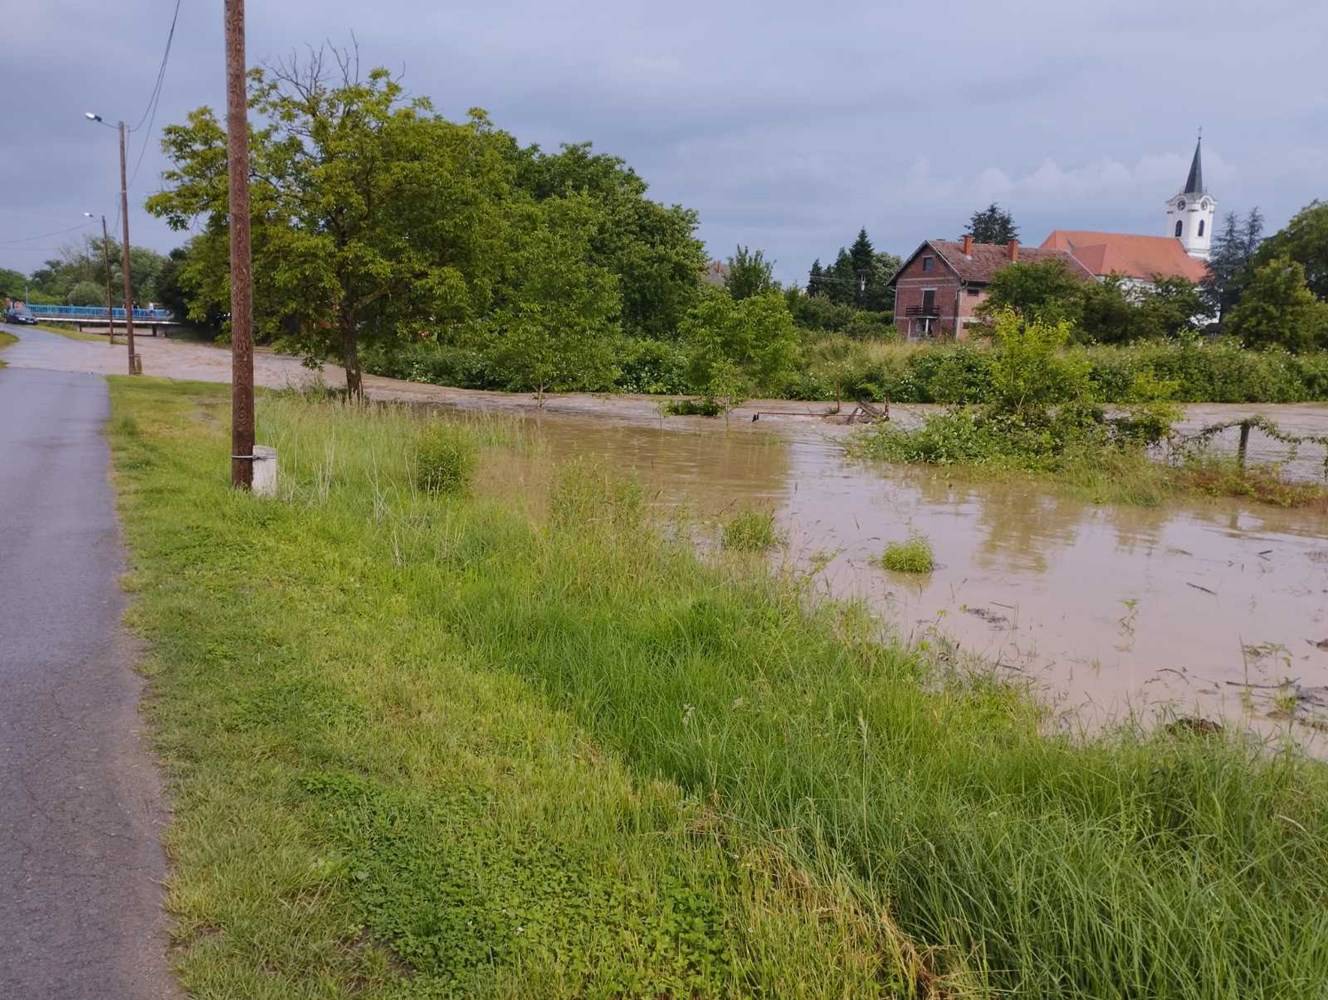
(430, 746)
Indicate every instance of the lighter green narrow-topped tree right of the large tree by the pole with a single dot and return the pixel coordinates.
(557, 327)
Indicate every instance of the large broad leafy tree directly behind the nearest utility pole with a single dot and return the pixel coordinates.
(374, 218)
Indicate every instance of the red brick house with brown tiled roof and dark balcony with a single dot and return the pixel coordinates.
(940, 288)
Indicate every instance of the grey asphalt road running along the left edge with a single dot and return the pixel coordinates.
(80, 804)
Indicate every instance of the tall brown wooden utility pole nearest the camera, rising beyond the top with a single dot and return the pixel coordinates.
(242, 276)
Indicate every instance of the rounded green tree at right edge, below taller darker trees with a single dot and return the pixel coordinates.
(1280, 310)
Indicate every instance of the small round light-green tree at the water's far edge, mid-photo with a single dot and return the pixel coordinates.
(736, 349)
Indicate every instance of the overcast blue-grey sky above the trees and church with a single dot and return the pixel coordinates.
(788, 125)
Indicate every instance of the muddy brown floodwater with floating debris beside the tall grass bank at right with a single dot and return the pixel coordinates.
(1213, 609)
